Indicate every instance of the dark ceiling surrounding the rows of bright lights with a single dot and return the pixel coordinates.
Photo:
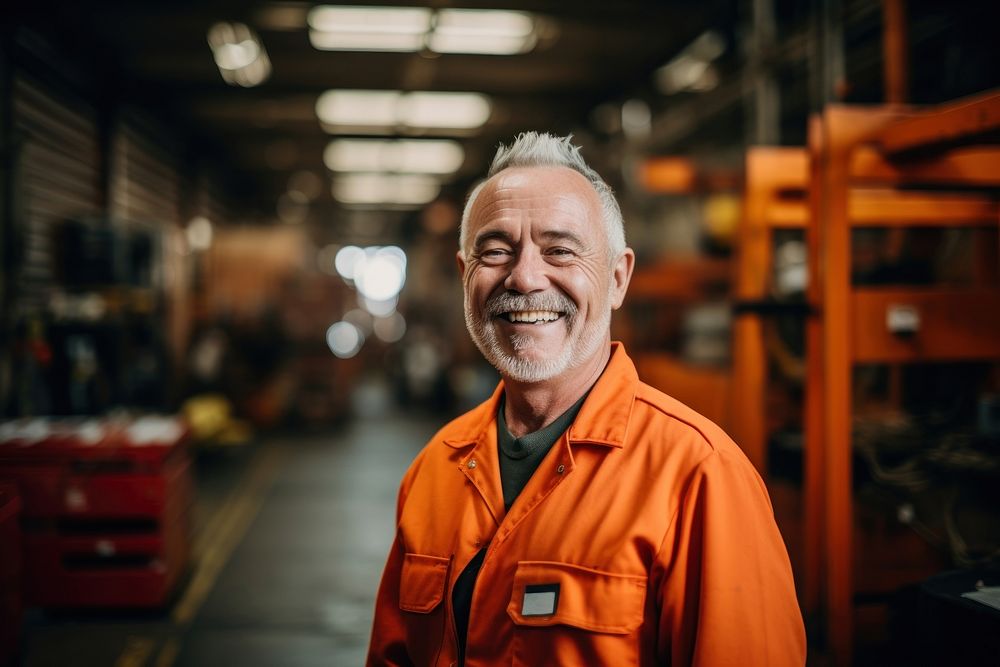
(156, 53)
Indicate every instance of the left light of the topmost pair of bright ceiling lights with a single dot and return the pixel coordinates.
(369, 28)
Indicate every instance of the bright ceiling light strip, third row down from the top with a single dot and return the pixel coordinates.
(419, 156)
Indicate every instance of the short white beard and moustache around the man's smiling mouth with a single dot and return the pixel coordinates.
(577, 350)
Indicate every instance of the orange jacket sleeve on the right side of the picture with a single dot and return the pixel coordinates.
(727, 596)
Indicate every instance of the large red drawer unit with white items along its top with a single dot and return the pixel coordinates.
(106, 508)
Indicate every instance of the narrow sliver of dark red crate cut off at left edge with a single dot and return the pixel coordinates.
(10, 571)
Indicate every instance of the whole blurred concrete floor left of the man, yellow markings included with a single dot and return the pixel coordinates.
(291, 535)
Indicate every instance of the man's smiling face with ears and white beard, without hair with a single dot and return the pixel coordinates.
(539, 283)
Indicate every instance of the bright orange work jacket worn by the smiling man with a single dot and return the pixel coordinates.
(645, 537)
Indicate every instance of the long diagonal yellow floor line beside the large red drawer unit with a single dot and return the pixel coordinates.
(227, 530)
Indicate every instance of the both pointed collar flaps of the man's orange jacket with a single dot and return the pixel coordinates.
(603, 419)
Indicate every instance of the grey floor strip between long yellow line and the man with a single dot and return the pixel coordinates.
(299, 589)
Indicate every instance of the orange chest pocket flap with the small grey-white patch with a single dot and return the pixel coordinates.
(562, 594)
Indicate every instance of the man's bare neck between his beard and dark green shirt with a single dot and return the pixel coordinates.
(532, 406)
